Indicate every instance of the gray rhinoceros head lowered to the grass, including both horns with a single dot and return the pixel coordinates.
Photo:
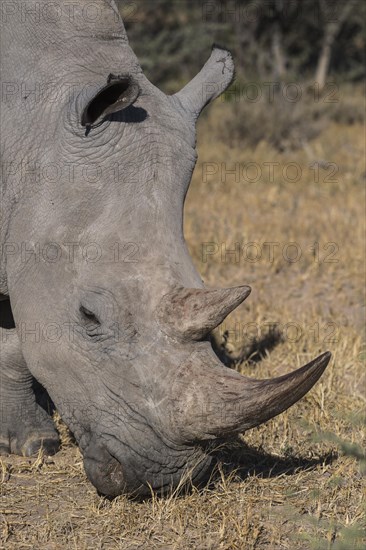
(124, 316)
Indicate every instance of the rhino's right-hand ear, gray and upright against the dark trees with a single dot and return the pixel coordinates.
(213, 79)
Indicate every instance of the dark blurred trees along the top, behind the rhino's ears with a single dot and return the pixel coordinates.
(269, 39)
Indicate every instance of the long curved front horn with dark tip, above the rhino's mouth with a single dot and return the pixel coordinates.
(215, 401)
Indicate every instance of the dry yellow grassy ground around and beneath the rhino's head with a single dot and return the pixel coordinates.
(298, 481)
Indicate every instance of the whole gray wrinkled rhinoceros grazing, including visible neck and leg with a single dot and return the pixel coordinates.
(120, 341)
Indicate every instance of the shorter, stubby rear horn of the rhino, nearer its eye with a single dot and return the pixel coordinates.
(192, 313)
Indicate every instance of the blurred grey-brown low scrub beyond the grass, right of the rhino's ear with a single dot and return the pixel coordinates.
(287, 116)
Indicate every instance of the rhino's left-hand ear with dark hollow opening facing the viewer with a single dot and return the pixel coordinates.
(120, 92)
